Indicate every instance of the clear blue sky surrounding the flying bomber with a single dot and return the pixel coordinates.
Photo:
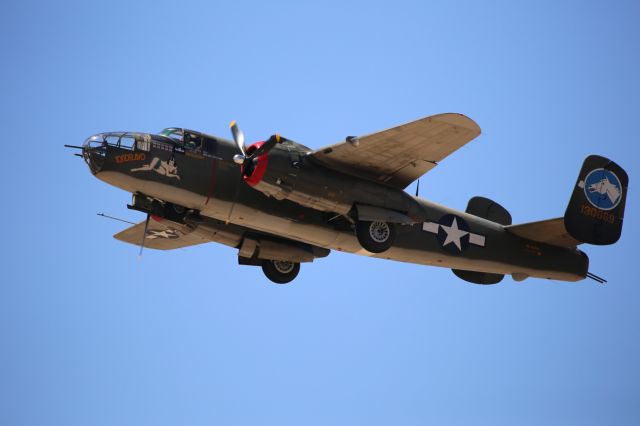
(90, 335)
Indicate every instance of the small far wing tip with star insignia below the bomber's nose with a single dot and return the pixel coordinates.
(163, 235)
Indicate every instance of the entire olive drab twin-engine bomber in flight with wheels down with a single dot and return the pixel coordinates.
(280, 203)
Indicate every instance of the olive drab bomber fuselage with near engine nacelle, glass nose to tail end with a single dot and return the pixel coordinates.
(299, 200)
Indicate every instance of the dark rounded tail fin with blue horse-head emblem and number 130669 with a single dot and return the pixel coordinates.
(596, 209)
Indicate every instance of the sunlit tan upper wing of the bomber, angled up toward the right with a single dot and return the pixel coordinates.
(402, 154)
